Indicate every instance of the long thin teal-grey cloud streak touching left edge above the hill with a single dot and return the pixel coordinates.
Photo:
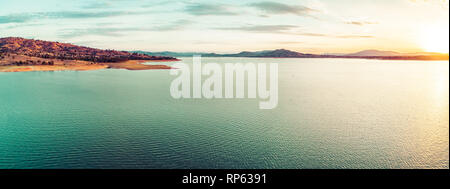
(22, 18)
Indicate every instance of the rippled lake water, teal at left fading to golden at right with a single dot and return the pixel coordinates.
(332, 113)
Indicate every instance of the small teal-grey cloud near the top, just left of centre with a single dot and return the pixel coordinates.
(210, 9)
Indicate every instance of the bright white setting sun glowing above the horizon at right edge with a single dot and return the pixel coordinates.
(435, 39)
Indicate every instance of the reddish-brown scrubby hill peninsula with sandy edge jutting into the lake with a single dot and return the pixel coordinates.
(21, 55)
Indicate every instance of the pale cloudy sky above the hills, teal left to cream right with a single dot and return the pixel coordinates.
(309, 26)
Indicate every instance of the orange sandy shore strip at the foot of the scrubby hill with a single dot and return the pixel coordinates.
(85, 66)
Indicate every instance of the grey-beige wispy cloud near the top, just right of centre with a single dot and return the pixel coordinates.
(279, 8)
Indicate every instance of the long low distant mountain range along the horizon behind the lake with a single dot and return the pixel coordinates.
(283, 53)
